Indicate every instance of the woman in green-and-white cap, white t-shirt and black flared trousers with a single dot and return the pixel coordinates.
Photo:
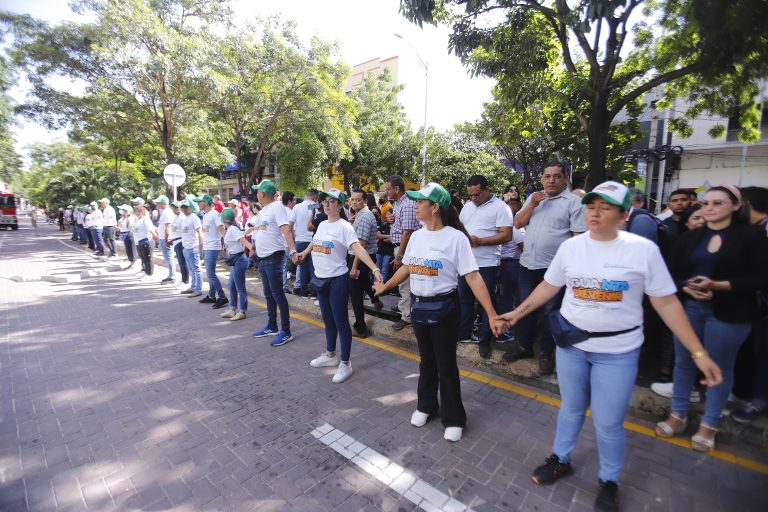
(435, 259)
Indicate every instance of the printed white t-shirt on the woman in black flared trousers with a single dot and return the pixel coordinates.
(436, 259)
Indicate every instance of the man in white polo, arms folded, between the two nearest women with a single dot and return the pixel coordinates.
(489, 224)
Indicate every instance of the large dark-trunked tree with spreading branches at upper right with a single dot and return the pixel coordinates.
(692, 46)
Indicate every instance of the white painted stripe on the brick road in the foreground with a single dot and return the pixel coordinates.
(397, 478)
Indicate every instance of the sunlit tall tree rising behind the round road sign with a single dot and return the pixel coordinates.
(141, 54)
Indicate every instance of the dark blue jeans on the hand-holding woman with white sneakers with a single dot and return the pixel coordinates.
(334, 298)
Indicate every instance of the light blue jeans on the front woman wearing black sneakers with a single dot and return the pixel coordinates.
(602, 382)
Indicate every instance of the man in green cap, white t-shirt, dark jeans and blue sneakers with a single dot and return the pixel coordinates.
(273, 234)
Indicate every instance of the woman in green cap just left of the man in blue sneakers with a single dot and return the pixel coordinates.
(235, 244)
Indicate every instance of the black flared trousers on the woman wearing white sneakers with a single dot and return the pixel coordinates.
(439, 371)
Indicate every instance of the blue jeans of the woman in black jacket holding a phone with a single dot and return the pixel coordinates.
(722, 340)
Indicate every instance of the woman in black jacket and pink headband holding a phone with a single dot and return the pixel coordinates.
(719, 270)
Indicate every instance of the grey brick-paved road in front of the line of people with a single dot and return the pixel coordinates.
(121, 394)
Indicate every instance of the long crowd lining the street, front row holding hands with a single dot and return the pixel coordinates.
(609, 277)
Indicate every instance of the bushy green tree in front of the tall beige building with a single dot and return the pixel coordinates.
(386, 144)
